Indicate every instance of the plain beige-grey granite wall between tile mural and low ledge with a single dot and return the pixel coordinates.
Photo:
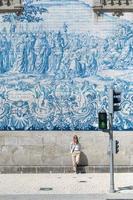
(51, 150)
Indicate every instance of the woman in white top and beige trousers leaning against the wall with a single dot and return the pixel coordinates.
(75, 151)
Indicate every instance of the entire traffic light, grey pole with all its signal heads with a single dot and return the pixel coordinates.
(114, 105)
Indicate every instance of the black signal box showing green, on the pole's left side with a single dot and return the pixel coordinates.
(102, 120)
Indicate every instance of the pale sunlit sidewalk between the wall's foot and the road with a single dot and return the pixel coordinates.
(90, 183)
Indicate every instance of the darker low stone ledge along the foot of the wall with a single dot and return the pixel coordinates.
(62, 169)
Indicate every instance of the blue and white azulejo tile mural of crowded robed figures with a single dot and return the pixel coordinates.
(57, 62)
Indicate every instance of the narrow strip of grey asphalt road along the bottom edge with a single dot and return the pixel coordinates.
(69, 197)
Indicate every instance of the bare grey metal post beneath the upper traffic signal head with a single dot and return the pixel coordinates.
(111, 153)
